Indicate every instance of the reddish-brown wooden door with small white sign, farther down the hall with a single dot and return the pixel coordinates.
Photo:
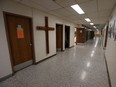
(80, 35)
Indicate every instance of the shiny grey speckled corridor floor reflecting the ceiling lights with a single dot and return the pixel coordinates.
(81, 66)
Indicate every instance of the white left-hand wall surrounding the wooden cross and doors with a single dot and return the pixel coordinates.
(39, 36)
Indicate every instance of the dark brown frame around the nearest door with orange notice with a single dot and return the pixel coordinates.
(5, 14)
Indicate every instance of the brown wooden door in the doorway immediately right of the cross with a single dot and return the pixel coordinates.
(59, 37)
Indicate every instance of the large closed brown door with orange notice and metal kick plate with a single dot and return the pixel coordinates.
(20, 39)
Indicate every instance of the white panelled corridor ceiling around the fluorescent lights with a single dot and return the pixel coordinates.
(98, 11)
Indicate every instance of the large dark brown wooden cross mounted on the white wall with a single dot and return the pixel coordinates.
(46, 28)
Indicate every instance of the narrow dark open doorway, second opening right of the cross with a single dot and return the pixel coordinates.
(67, 36)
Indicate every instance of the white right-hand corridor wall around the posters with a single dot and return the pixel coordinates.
(110, 53)
